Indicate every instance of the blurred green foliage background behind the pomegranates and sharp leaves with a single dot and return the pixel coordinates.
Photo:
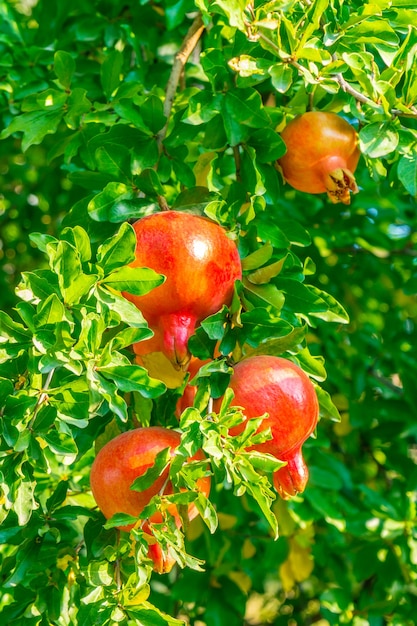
(347, 552)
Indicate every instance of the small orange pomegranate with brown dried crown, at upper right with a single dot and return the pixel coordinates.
(322, 154)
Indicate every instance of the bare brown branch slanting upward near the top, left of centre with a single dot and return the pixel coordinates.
(191, 39)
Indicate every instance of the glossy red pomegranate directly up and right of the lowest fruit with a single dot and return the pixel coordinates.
(274, 385)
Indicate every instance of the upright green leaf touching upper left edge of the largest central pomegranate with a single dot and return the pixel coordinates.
(118, 250)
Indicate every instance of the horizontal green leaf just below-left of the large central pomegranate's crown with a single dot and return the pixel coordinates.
(129, 378)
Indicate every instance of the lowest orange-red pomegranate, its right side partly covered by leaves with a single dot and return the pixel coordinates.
(120, 462)
